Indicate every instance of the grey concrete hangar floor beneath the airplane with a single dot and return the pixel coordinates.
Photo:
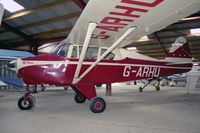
(169, 111)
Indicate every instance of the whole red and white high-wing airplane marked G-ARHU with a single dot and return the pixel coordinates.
(93, 54)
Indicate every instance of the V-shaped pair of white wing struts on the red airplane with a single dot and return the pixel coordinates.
(91, 27)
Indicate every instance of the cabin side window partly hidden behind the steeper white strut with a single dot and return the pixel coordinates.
(91, 52)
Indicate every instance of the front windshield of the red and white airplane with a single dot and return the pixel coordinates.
(61, 49)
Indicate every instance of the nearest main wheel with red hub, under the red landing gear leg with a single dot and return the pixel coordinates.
(97, 105)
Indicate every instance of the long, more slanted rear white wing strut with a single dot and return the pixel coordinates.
(131, 29)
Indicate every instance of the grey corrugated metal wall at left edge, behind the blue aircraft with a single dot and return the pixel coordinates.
(4, 72)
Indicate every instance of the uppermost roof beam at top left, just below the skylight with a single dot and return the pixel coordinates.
(37, 9)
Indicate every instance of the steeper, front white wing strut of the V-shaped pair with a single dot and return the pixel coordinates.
(91, 27)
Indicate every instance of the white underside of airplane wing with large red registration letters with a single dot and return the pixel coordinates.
(114, 17)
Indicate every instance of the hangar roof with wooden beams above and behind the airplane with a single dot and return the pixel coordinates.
(45, 21)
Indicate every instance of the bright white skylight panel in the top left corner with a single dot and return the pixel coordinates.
(11, 5)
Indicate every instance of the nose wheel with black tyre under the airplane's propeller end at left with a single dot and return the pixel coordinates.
(29, 103)
